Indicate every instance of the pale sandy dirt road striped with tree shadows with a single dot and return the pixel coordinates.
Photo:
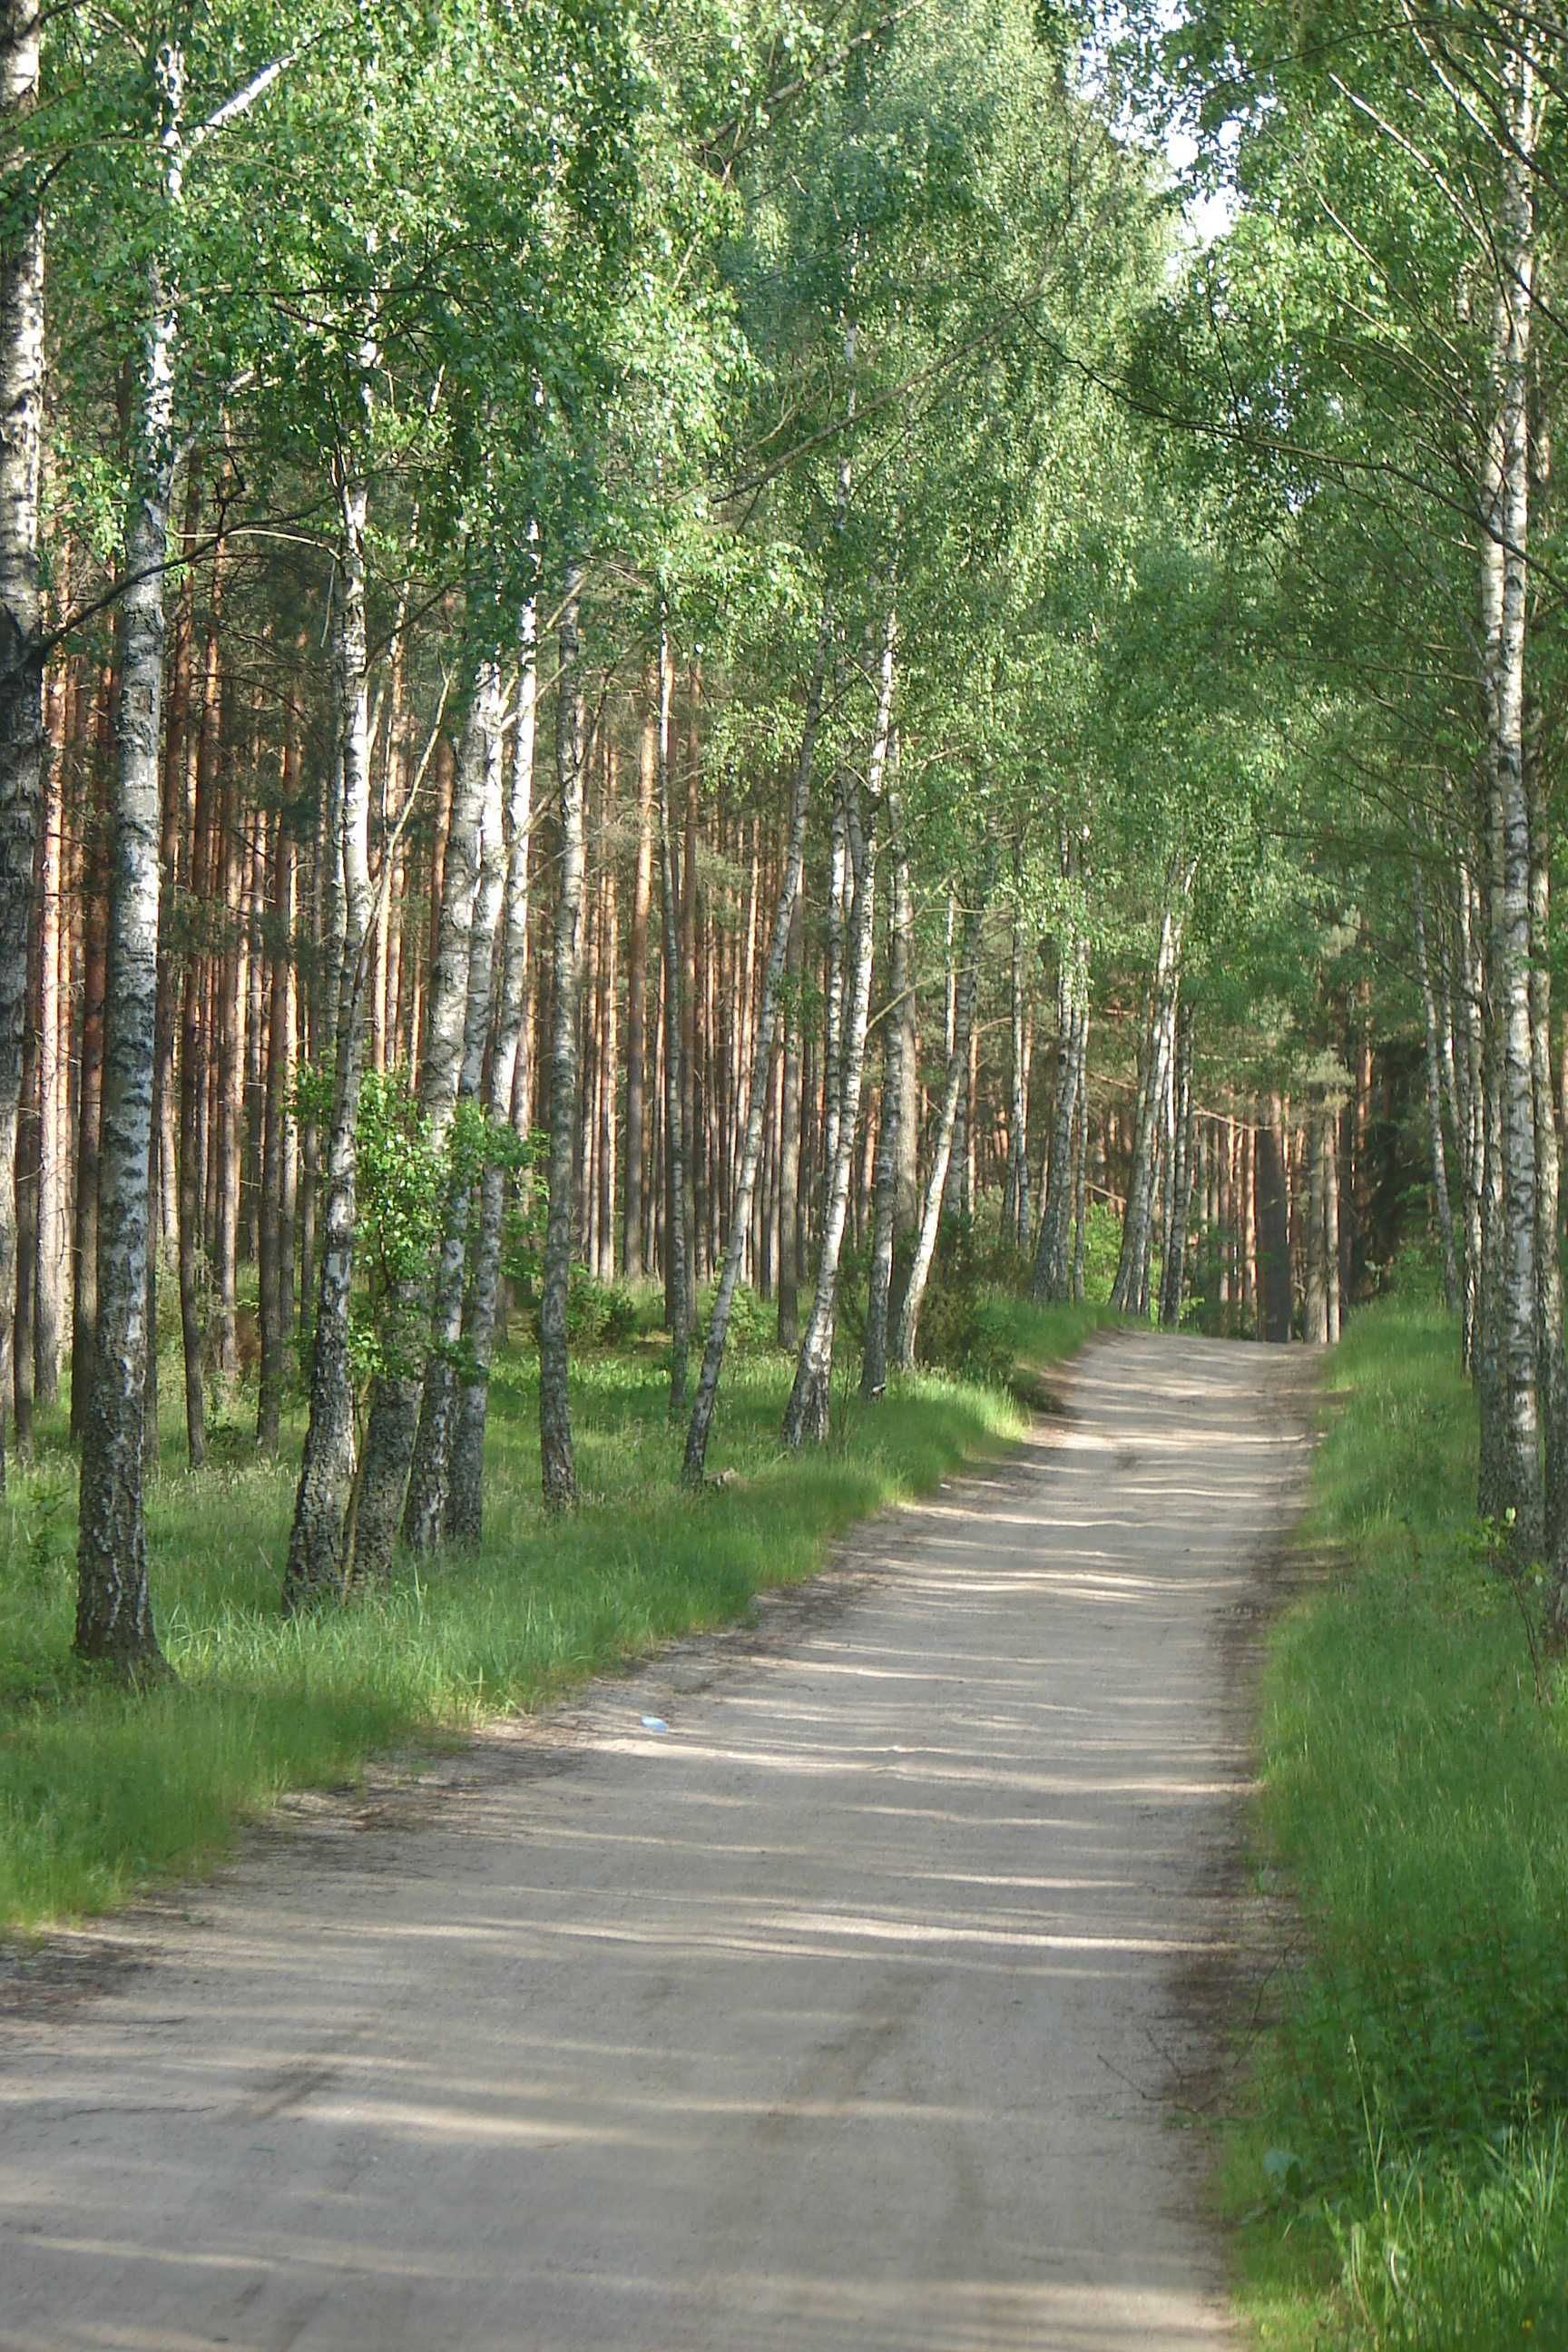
(852, 2014)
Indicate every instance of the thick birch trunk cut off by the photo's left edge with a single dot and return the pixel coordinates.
(22, 683)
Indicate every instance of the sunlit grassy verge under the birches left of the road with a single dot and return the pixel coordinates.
(102, 1791)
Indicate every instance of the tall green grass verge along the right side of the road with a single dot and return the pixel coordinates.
(1402, 2179)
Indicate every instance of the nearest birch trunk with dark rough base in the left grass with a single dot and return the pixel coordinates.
(114, 1617)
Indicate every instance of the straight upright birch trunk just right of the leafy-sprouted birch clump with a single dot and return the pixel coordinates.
(558, 1466)
